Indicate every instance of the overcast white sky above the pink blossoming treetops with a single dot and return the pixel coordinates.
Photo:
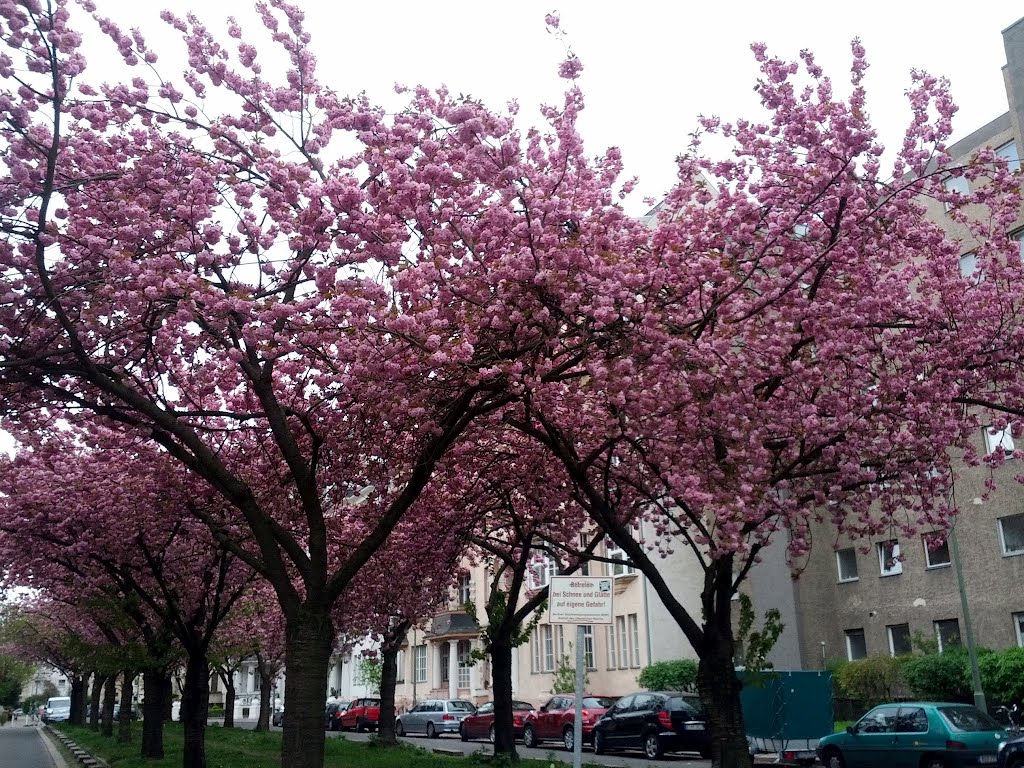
(650, 68)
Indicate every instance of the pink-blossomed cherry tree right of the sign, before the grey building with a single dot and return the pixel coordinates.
(797, 345)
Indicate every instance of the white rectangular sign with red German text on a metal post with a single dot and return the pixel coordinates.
(580, 601)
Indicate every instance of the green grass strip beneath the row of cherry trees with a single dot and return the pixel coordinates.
(236, 748)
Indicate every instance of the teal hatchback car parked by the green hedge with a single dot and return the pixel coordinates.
(916, 735)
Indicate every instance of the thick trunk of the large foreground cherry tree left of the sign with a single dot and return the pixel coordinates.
(310, 641)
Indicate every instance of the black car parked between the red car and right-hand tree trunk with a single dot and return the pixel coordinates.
(655, 722)
